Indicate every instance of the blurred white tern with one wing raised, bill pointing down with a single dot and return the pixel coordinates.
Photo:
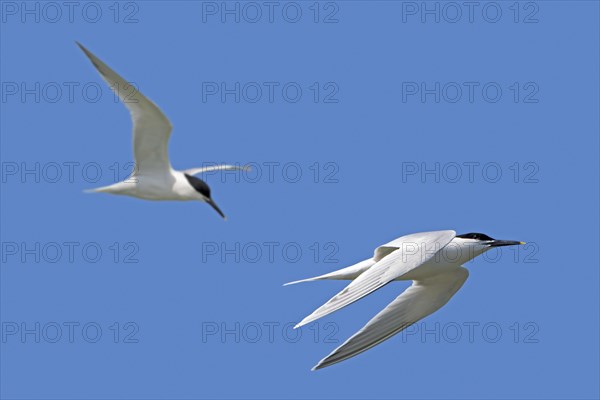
(153, 177)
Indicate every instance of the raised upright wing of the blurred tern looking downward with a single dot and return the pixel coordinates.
(151, 128)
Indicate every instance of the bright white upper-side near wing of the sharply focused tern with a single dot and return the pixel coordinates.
(412, 251)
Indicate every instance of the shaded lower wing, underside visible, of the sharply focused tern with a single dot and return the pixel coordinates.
(415, 303)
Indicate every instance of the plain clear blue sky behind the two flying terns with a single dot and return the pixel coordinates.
(363, 122)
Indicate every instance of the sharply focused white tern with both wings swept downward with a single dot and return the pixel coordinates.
(432, 260)
